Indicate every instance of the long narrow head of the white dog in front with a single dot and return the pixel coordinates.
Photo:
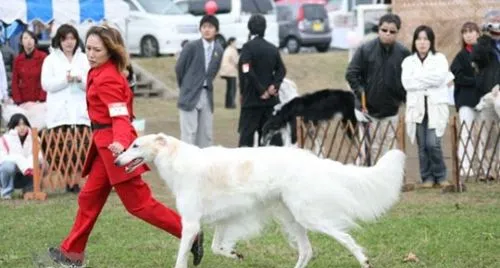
(144, 149)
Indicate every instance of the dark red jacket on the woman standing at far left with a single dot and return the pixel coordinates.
(26, 78)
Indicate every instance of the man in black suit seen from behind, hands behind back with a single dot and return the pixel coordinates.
(261, 71)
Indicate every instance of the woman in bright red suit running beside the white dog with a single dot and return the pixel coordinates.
(109, 102)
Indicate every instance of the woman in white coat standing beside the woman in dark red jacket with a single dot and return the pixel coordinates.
(64, 77)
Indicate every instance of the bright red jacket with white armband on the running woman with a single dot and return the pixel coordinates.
(109, 101)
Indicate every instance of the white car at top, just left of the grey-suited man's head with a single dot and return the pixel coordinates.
(157, 27)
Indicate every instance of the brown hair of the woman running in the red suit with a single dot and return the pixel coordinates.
(112, 40)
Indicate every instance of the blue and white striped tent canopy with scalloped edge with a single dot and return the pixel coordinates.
(63, 11)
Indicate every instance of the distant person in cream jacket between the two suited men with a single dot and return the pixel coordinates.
(229, 71)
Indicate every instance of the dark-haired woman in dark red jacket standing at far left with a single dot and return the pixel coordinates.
(27, 71)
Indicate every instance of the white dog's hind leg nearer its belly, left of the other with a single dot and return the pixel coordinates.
(297, 235)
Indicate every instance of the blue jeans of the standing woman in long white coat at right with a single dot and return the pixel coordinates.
(430, 154)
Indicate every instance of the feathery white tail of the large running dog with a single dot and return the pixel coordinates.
(378, 188)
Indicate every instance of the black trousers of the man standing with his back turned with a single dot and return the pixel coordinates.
(252, 120)
